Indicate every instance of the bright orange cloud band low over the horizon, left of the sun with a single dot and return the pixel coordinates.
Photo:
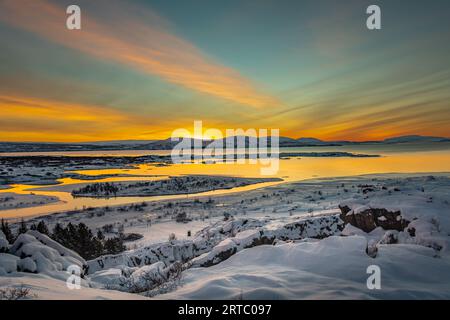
(32, 119)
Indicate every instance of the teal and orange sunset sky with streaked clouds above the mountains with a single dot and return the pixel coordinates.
(141, 69)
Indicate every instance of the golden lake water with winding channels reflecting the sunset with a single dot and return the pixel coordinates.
(401, 158)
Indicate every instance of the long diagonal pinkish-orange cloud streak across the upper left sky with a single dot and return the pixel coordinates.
(140, 41)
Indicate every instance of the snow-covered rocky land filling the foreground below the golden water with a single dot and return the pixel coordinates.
(312, 239)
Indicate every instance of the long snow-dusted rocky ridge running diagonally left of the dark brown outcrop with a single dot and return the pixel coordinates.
(220, 241)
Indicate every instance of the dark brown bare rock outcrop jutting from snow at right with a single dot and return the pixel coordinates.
(367, 219)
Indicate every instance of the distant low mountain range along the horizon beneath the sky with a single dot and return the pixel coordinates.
(168, 144)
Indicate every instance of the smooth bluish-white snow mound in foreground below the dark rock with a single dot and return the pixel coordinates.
(332, 268)
